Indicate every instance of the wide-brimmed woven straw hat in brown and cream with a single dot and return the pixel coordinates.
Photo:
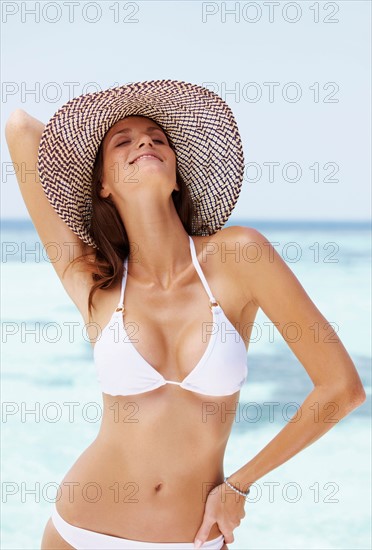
(199, 123)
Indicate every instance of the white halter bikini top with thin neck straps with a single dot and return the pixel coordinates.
(121, 369)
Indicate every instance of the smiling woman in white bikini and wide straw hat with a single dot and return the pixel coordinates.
(135, 184)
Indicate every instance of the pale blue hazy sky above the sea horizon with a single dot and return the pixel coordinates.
(297, 76)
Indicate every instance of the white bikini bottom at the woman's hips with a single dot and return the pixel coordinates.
(82, 539)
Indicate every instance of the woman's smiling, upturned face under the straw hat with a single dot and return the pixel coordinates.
(137, 156)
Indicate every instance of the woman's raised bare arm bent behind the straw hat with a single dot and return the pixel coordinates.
(23, 133)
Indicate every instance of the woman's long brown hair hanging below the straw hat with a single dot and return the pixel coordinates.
(108, 230)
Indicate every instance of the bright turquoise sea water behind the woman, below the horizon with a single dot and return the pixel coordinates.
(319, 499)
